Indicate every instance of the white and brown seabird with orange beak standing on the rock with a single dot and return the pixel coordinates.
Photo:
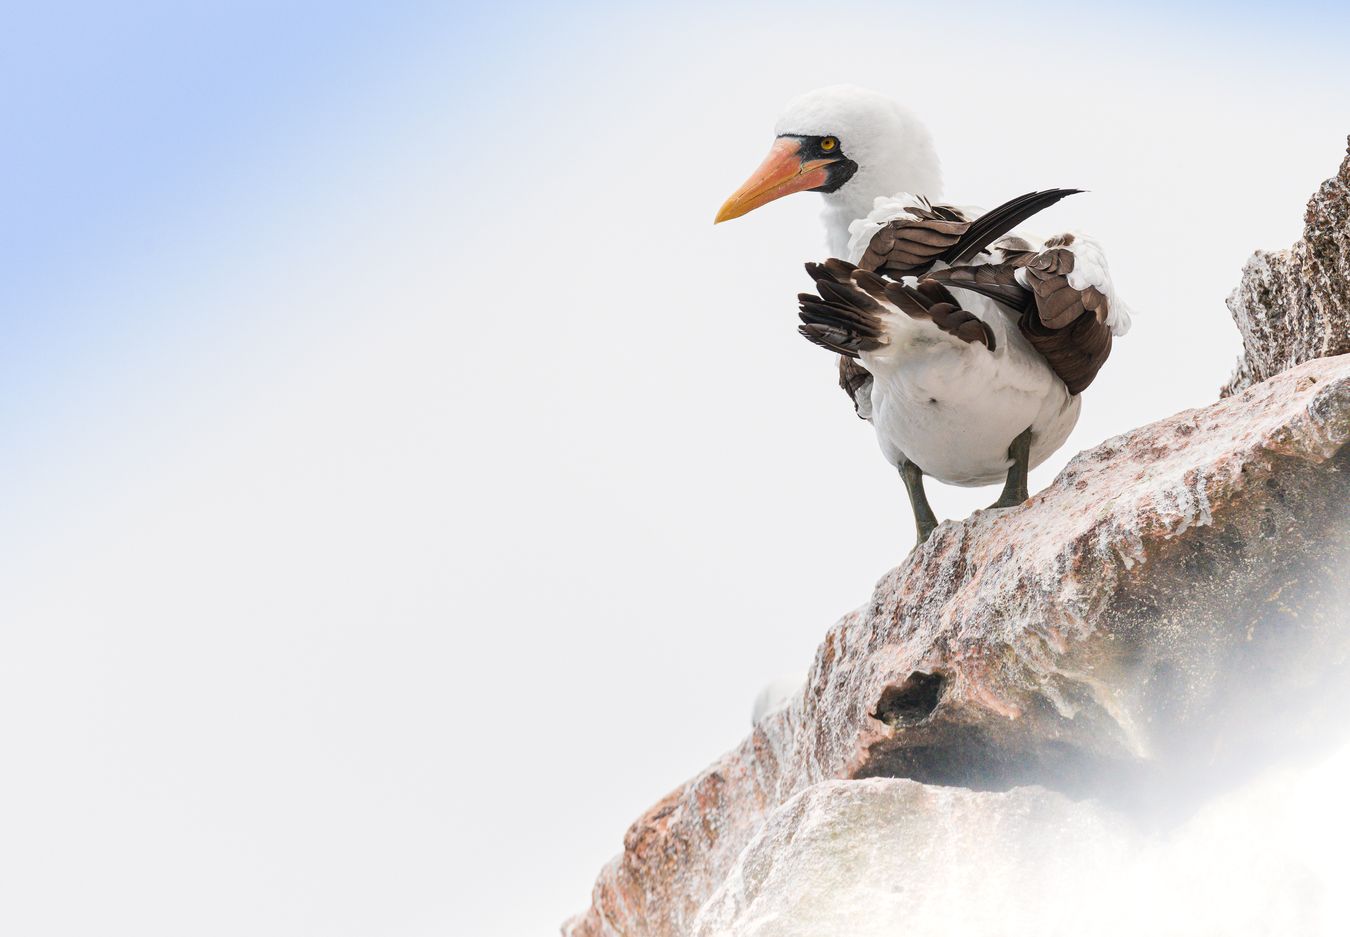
(974, 387)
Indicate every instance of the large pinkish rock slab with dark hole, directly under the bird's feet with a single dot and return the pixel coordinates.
(1147, 623)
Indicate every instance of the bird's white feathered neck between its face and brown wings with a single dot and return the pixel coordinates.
(912, 165)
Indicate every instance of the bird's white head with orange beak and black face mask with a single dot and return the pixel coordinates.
(850, 144)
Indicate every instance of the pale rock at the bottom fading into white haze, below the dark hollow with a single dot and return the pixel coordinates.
(881, 858)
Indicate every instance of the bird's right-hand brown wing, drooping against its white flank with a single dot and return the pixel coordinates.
(1067, 326)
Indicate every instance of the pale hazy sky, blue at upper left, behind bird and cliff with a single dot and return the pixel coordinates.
(406, 484)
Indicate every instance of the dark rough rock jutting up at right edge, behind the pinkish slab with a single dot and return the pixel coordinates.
(1295, 306)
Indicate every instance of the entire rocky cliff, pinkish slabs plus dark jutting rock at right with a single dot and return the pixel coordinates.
(1132, 643)
